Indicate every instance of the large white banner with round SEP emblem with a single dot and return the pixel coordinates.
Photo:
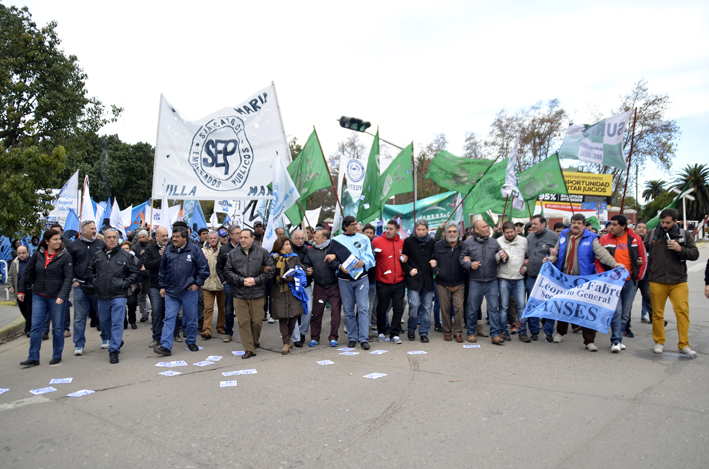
(228, 154)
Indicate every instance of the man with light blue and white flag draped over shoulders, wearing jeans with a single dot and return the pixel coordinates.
(353, 257)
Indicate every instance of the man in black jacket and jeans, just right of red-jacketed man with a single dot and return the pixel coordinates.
(419, 278)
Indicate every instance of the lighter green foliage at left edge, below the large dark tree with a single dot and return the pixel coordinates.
(27, 176)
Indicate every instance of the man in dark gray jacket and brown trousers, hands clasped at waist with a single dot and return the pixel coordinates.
(248, 268)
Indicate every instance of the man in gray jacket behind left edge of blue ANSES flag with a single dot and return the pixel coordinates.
(540, 242)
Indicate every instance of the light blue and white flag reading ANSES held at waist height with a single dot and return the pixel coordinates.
(585, 300)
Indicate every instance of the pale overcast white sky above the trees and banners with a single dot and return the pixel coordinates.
(414, 68)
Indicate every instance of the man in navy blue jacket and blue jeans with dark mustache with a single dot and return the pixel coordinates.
(183, 269)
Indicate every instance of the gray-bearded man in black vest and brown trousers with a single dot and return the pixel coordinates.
(450, 282)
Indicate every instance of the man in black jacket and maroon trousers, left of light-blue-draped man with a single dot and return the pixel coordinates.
(325, 288)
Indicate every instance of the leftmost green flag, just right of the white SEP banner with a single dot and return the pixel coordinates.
(309, 173)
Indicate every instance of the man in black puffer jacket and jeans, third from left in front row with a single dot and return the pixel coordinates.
(111, 273)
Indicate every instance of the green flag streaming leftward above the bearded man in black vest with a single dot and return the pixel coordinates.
(455, 173)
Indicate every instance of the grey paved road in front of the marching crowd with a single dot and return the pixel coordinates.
(520, 405)
